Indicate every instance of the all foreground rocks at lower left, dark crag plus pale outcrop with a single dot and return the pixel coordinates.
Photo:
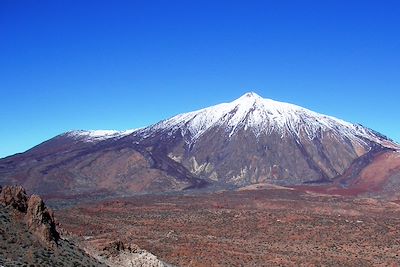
(29, 237)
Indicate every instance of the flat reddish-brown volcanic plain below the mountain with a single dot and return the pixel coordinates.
(246, 228)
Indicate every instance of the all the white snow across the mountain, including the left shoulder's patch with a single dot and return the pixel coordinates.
(250, 112)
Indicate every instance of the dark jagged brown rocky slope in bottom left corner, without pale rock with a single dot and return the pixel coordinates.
(29, 236)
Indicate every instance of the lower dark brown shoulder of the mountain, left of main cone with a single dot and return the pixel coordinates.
(72, 165)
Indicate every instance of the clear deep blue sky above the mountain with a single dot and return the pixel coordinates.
(124, 64)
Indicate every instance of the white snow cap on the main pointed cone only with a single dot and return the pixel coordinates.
(263, 116)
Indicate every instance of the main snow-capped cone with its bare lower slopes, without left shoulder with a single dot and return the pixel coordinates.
(253, 140)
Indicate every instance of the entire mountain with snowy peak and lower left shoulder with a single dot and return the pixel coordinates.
(248, 141)
